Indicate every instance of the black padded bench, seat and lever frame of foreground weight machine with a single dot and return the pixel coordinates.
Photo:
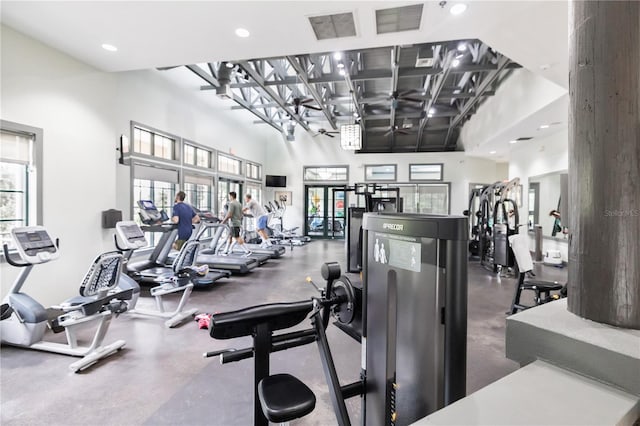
(283, 397)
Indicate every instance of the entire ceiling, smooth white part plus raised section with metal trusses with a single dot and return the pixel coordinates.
(392, 96)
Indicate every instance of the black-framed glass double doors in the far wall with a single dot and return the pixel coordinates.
(325, 211)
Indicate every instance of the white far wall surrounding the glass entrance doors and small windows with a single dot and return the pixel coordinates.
(289, 158)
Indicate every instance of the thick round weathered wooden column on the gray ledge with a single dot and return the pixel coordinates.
(604, 161)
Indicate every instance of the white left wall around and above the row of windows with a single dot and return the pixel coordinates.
(82, 112)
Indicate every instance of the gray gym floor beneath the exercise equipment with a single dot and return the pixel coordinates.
(161, 378)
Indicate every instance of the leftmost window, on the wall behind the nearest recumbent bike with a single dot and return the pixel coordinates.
(20, 195)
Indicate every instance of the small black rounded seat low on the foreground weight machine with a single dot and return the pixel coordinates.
(284, 398)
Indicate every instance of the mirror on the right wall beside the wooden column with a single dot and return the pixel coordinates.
(547, 204)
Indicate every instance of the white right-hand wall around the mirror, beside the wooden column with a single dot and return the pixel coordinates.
(538, 157)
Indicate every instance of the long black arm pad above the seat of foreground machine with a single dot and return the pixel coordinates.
(243, 322)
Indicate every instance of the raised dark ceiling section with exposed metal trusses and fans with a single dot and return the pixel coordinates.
(405, 98)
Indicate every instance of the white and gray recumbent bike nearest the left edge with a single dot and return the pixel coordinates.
(25, 320)
